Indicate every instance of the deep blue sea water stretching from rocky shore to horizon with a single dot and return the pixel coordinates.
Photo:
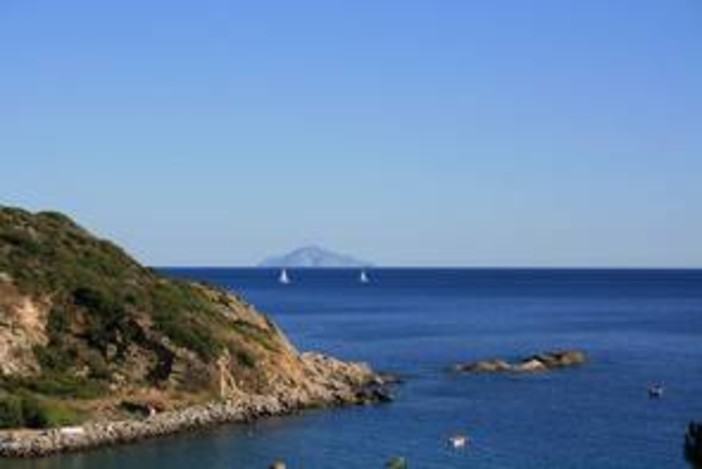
(638, 326)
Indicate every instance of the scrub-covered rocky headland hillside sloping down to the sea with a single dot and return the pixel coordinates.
(84, 328)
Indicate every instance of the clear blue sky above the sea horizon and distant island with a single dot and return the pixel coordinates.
(406, 132)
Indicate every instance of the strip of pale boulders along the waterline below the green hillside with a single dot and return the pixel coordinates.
(26, 443)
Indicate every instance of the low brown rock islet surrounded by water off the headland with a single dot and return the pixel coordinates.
(532, 364)
